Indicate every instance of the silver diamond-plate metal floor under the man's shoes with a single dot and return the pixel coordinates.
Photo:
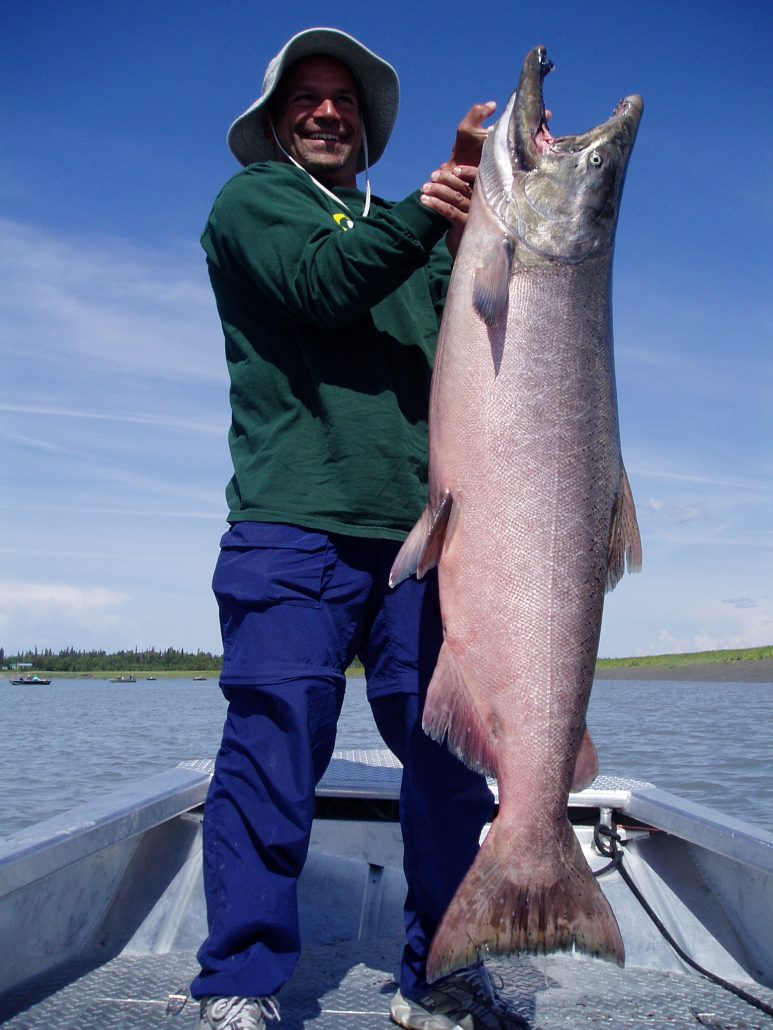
(348, 986)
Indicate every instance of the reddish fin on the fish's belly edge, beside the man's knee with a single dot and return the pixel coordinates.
(450, 714)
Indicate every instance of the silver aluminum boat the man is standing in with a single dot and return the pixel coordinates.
(103, 910)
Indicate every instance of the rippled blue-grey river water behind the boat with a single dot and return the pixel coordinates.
(77, 740)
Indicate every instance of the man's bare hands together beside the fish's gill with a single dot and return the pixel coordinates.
(450, 189)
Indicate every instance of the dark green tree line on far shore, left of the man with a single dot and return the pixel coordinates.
(71, 661)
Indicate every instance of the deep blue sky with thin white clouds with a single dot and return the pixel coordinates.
(114, 397)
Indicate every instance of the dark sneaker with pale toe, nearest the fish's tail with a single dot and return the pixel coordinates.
(466, 1001)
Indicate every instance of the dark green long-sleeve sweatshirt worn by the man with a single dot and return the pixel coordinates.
(330, 322)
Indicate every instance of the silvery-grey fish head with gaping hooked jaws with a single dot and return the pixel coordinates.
(557, 197)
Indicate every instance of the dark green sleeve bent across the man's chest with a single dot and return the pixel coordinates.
(274, 231)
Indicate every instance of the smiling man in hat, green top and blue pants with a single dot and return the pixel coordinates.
(330, 302)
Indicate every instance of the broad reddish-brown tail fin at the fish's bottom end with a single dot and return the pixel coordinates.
(555, 905)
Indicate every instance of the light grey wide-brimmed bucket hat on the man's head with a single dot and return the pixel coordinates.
(380, 91)
